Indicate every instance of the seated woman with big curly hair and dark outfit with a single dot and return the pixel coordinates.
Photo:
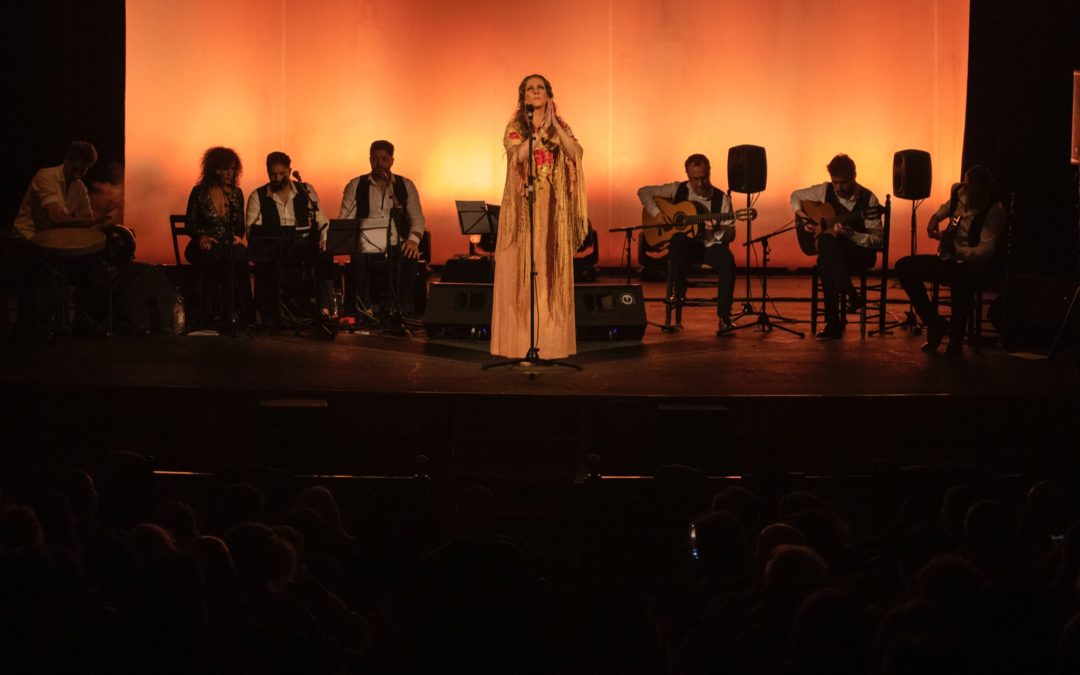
(215, 222)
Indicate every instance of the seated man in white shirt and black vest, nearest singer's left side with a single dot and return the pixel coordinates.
(385, 201)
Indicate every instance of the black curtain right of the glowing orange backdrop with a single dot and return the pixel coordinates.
(1019, 123)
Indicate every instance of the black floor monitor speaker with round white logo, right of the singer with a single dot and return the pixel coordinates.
(610, 312)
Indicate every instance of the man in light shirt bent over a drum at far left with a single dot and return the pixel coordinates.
(57, 198)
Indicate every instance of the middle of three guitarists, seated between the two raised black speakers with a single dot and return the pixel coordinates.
(850, 248)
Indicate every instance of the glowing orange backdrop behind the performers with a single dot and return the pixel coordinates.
(644, 84)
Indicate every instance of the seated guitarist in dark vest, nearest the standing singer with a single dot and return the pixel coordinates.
(697, 188)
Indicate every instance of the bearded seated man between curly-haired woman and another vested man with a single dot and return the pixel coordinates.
(280, 218)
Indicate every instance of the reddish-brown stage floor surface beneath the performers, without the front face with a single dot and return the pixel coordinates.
(693, 361)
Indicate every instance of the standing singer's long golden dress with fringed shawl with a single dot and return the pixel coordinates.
(560, 226)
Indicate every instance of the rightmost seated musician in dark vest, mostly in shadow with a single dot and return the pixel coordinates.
(966, 258)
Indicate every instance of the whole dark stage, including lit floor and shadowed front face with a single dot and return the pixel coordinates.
(745, 403)
